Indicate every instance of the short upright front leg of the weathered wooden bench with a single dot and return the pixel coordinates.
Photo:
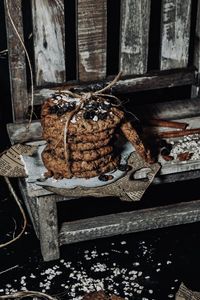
(48, 227)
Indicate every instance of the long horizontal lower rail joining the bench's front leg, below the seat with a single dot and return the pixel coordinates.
(128, 222)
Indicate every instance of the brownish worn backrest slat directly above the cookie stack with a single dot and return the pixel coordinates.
(91, 39)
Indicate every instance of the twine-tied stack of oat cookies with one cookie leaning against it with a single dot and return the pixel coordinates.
(80, 134)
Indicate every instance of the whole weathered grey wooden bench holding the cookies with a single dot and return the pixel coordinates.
(157, 46)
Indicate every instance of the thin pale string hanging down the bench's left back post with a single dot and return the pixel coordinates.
(28, 60)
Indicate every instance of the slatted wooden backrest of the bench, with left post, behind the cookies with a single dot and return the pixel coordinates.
(87, 40)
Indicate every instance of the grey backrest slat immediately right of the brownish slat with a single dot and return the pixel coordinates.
(134, 36)
